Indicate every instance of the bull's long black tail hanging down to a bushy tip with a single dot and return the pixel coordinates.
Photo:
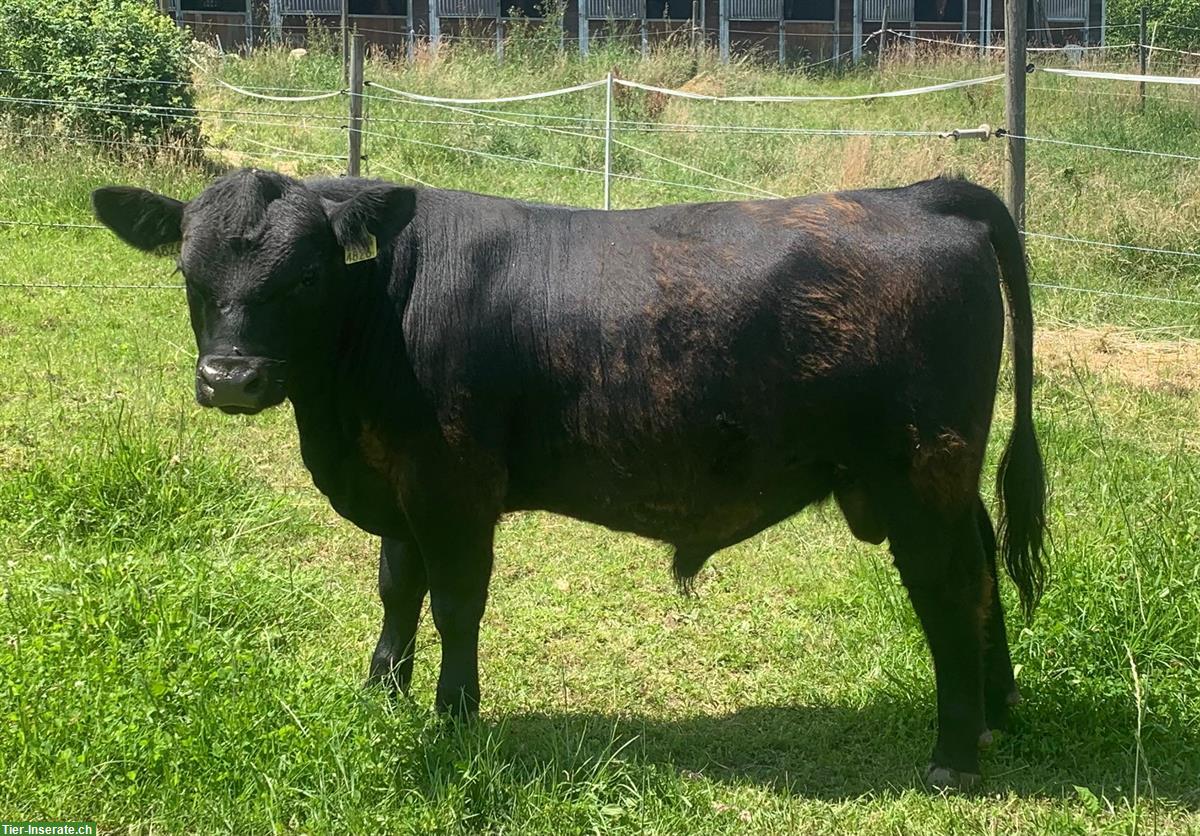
(1021, 479)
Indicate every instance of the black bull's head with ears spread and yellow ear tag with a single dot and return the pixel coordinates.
(263, 257)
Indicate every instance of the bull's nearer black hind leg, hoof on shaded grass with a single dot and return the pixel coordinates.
(941, 562)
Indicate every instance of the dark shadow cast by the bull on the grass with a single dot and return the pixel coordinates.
(839, 753)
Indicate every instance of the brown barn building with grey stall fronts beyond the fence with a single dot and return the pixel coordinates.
(795, 31)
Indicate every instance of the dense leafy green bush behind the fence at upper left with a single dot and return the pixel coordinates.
(122, 65)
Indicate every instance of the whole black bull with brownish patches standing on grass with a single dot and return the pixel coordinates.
(691, 374)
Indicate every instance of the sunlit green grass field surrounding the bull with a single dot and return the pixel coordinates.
(187, 626)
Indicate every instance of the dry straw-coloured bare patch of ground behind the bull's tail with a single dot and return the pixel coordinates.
(1162, 365)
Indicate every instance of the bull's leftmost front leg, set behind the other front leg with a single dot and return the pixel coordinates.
(403, 587)
